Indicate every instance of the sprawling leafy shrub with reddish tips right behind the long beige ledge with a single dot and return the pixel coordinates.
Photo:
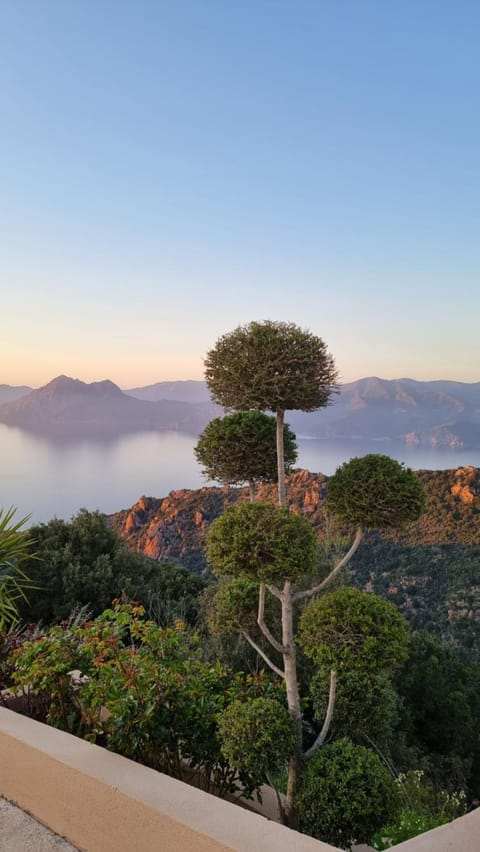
(142, 691)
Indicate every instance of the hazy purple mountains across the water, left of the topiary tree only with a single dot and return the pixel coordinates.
(69, 405)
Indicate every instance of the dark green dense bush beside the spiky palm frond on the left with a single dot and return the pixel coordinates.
(83, 562)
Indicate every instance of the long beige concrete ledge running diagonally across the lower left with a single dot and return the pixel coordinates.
(103, 802)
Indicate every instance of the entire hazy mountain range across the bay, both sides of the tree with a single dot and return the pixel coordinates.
(437, 413)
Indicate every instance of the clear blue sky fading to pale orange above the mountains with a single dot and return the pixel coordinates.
(170, 169)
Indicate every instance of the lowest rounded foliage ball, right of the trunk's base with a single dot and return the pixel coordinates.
(344, 794)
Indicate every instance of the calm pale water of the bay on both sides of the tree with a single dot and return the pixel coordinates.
(49, 477)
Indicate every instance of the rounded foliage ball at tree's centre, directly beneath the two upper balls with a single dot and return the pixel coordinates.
(263, 542)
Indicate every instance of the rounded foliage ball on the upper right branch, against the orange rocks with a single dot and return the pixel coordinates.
(375, 491)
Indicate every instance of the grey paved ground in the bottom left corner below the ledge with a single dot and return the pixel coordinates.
(19, 832)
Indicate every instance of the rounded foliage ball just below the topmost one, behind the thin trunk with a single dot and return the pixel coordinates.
(241, 448)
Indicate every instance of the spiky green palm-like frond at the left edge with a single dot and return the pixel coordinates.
(14, 583)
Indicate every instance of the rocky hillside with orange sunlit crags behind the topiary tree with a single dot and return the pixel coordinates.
(431, 570)
